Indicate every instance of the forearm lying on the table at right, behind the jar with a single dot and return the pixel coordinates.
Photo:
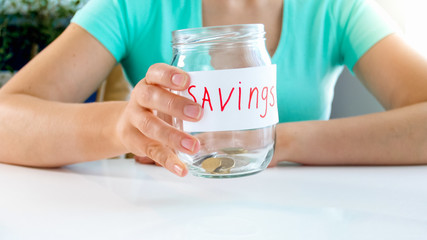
(388, 138)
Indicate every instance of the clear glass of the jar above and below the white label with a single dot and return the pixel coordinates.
(217, 48)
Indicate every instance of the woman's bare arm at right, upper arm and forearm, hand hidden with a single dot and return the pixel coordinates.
(397, 76)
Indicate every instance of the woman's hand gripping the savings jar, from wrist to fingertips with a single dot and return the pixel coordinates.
(143, 133)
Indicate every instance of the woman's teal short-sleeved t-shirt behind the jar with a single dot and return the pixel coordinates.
(318, 38)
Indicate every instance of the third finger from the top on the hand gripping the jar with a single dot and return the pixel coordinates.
(155, 128)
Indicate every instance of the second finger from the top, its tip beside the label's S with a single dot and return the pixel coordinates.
(156, 98)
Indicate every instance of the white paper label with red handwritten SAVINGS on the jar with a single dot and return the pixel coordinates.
(234, 99)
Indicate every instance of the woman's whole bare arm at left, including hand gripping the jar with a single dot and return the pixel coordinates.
(43, 123)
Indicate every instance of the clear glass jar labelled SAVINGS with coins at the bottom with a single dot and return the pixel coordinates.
(233, 79)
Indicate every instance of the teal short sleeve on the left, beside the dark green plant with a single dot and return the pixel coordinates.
(104, 20)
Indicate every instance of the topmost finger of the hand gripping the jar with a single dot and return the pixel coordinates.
(167, 76)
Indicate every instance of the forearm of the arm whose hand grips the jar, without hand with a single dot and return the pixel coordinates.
(41, 133)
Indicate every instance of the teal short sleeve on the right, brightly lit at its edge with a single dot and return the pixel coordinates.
(361, 24)
